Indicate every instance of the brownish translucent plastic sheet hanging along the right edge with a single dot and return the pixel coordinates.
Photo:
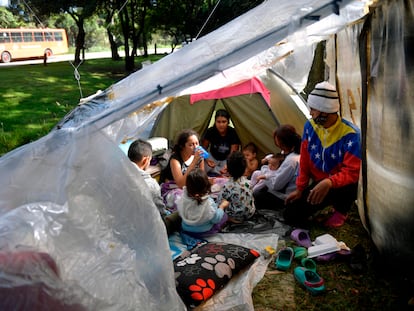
(390, 130)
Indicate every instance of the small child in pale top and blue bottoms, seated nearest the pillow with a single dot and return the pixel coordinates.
(201, 215)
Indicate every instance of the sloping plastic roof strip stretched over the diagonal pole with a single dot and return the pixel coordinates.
(248, 37)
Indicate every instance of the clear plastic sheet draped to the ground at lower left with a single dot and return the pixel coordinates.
(81, 201)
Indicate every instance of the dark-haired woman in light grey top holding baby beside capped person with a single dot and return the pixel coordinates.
(273, 195)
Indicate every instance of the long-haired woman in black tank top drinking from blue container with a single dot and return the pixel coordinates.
(185, 158)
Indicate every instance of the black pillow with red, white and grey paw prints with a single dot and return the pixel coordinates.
(207, 268)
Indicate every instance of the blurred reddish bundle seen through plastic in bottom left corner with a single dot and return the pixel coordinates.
(33, 283)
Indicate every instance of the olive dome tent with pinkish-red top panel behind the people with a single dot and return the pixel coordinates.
(252, 106)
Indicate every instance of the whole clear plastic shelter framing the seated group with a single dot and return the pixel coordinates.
(73, 194)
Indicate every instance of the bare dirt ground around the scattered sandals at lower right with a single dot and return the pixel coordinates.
(351, 284)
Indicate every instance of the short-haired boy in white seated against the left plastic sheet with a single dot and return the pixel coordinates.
(140, 153)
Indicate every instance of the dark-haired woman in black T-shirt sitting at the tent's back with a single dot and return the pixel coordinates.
(221, 140)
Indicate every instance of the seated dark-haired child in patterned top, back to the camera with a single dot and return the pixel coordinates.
(237, 190)
